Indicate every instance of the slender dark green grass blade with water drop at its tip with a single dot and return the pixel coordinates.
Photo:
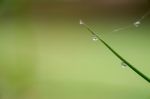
(115, 53)
